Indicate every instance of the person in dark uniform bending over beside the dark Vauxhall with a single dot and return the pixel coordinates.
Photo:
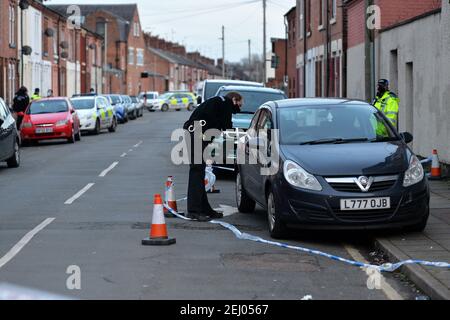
(215, 113)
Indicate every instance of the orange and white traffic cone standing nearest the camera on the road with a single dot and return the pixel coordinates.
(158, 231)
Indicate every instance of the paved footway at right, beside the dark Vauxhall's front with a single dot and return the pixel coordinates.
(431, 245)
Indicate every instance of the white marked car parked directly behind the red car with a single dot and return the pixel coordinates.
(95, 114)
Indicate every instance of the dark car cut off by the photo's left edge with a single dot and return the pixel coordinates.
(9, 138)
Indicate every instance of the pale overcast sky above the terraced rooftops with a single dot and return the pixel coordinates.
(198, 23)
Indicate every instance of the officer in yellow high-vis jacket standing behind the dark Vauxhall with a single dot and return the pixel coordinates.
(387, 102)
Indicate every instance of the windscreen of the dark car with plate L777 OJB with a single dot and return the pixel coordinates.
(333, 124)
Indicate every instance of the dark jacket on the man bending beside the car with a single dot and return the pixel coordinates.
(217, 112)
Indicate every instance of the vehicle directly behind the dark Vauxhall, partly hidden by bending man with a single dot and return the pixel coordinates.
(253, 98)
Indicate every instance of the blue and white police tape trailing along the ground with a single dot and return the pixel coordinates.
(388, 267)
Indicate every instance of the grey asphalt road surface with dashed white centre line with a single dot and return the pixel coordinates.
(101, 231)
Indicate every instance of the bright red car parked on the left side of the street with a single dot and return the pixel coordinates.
(50, 118)
